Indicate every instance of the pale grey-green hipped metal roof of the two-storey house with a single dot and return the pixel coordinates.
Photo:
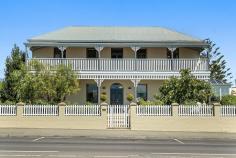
(97, 35)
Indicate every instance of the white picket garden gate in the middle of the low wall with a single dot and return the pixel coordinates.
(118, 116)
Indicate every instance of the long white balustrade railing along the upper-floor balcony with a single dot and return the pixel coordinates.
(127, 64)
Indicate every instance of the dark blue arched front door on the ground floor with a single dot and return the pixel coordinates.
(116, 94)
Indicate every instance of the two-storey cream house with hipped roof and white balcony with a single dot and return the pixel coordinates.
(120, 60)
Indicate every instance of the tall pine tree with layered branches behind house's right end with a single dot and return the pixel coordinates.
(217, 63)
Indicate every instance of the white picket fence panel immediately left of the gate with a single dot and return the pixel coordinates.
(83, 110)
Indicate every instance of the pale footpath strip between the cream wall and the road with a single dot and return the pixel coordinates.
(112, 134)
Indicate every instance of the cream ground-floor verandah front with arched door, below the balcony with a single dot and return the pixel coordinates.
(116, 91)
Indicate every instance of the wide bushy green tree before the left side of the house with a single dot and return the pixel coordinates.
(44, 86)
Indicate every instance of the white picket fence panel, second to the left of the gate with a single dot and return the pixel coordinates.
(40, 110)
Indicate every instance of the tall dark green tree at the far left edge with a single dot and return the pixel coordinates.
(13, 66)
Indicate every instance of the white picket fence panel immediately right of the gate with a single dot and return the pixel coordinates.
(153, 110)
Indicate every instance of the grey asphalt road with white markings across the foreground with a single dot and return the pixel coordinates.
(70, 147)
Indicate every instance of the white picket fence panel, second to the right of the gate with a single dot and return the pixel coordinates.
(195, 110)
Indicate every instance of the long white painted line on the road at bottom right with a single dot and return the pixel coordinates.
(195, 154)
